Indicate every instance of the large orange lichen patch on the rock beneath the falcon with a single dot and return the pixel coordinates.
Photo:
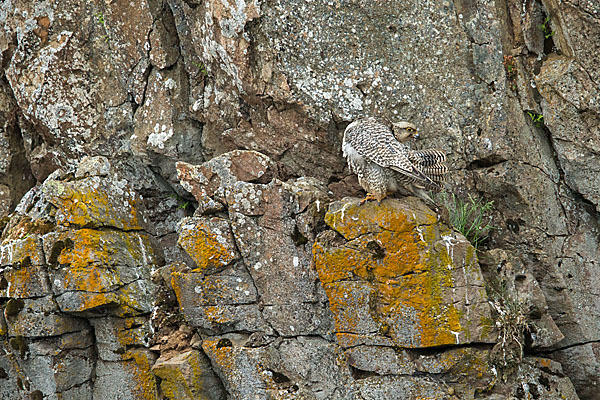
(405, 282)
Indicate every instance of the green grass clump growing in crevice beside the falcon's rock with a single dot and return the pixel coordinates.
(470, 217)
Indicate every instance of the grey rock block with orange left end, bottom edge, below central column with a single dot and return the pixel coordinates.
(278, 370)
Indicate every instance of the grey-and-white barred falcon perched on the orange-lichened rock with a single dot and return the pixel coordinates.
(378, 154)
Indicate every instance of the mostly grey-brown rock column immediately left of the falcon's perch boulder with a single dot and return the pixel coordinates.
(256, 276)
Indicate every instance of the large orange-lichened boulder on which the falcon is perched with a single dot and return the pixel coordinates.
(399, 278)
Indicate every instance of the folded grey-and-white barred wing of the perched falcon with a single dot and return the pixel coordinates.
(375, 142)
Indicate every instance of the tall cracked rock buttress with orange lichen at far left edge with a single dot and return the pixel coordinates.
(75, 250)
